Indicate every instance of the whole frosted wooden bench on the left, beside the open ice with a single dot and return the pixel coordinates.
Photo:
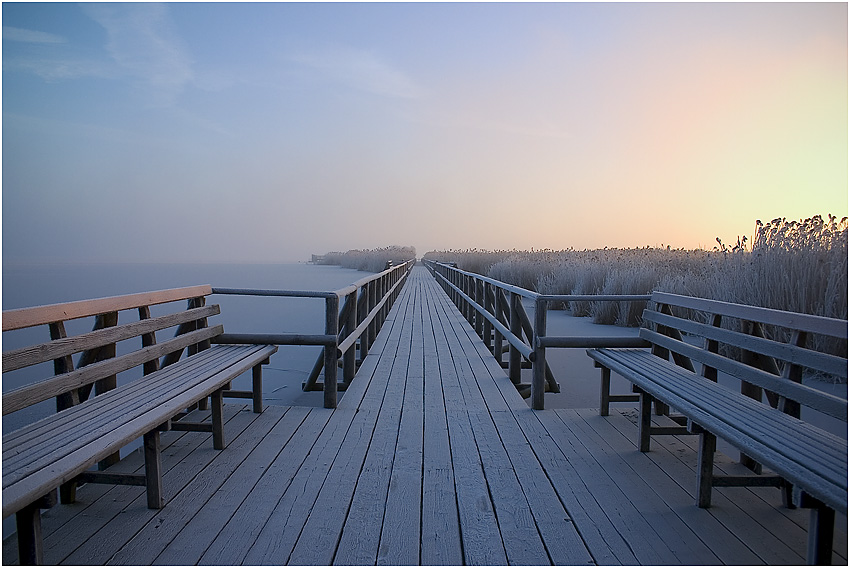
(58, 451)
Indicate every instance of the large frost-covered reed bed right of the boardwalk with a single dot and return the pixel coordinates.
(798, 266)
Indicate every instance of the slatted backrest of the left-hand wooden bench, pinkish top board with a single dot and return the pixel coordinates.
(98, 363)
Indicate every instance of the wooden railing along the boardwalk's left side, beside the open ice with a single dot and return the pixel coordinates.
(365, 305)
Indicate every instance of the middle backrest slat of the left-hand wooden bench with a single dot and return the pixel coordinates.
(35, 354)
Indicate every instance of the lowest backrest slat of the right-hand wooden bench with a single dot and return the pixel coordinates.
(806, 395)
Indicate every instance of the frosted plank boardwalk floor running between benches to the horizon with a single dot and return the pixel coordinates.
(431, 458)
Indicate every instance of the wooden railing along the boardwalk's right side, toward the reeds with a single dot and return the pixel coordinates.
(496, 312)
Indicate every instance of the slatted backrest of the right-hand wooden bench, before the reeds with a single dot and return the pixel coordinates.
(764, 348)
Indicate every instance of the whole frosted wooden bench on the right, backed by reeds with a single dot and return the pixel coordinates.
(768, 351)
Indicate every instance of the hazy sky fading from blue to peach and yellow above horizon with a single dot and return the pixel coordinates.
(218, 132)
